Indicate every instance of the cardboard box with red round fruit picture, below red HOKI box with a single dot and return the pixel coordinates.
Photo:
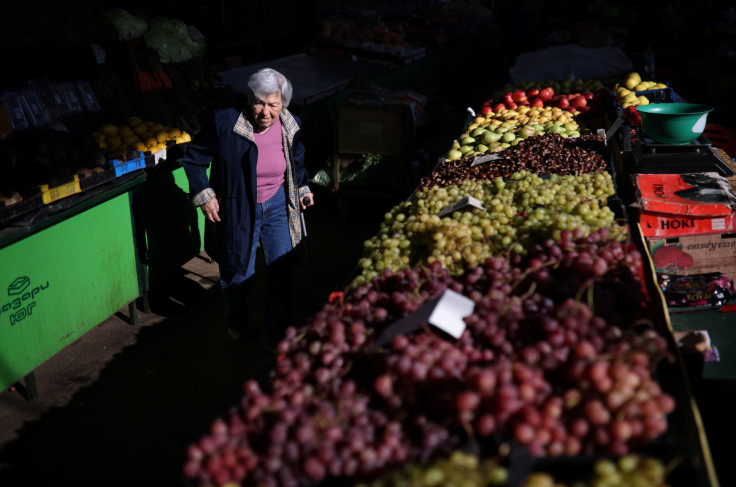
(694, 254)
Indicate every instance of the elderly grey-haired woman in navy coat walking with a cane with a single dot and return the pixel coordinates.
(255, 191)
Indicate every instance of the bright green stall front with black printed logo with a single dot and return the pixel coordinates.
(63, 275)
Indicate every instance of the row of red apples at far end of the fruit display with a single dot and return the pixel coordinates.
(536, 97)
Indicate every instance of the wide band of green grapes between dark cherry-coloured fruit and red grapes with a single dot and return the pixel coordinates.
(516, 213)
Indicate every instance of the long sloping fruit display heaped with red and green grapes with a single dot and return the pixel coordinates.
(503, 328)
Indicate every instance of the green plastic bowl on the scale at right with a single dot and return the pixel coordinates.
(673, 123)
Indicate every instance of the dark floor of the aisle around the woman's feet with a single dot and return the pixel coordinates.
(119, 406)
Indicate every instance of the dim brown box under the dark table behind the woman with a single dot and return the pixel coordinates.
(374, 127)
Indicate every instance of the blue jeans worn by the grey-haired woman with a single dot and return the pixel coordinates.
(272, 232)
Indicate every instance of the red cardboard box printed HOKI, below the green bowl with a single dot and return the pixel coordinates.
(684, 204)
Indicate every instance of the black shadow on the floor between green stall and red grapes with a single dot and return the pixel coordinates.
(132, 426)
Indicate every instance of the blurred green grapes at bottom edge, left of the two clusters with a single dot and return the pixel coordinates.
(460, 469)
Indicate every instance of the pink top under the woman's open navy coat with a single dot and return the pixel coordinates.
(271, 165)
